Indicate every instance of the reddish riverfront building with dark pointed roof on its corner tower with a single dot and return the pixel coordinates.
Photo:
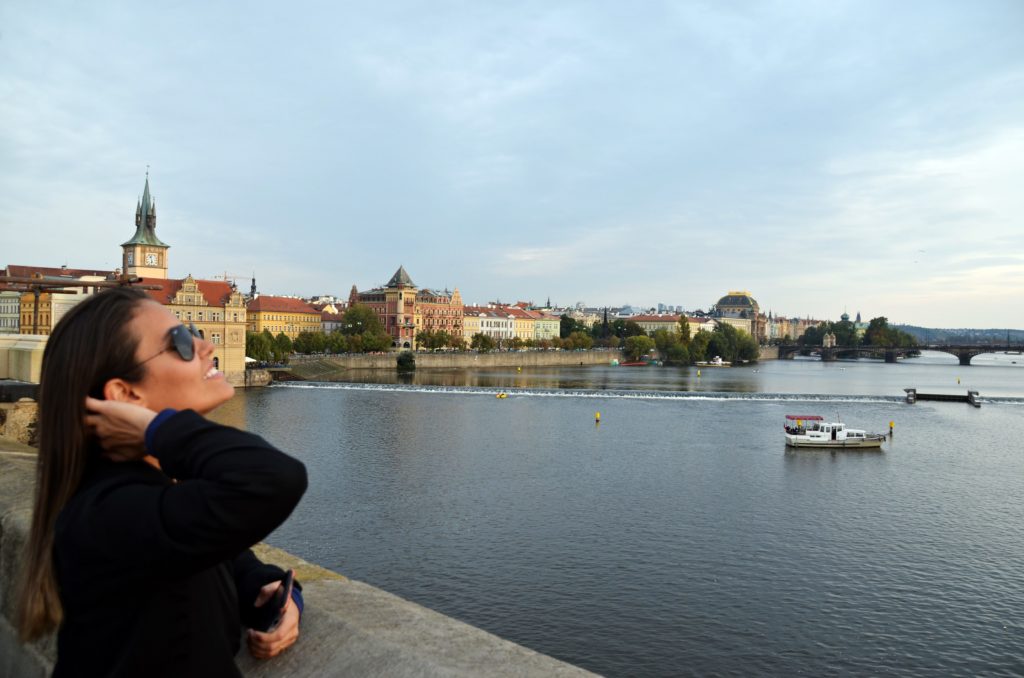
(405, 311)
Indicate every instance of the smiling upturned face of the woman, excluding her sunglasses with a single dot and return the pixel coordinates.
(170, 382)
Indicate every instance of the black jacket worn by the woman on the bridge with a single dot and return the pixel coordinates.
(152, 572)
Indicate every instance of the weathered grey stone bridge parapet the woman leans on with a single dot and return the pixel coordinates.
(349, 628)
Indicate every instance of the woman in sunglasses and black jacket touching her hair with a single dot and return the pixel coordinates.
(145, 512)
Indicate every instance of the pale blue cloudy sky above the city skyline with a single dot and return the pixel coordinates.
(866, 157)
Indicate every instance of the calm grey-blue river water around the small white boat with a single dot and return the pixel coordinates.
(679, 537)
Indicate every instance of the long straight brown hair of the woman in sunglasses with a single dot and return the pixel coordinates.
(91, 346)
